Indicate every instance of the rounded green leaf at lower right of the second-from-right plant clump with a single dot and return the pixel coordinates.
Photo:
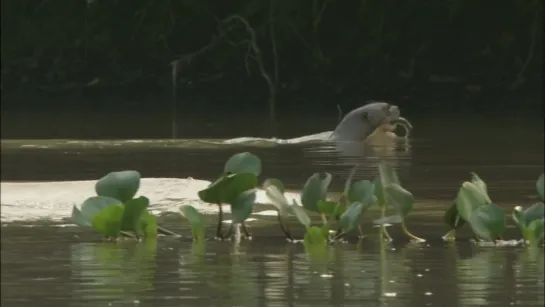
(488, 221)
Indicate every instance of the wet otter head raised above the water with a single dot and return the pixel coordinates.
(357, 125)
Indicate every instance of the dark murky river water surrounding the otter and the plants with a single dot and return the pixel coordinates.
(64, 266)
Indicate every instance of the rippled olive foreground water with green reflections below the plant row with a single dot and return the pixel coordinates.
(263, 272)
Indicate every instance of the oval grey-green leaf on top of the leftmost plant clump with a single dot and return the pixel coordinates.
(119, 185)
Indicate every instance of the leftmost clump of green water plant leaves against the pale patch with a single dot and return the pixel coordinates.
(114, 211)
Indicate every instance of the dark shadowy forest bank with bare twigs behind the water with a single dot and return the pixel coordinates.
(233, 55)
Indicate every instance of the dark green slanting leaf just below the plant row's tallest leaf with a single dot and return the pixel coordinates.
(227, 188)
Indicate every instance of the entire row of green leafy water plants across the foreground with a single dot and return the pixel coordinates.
(115, 210)
